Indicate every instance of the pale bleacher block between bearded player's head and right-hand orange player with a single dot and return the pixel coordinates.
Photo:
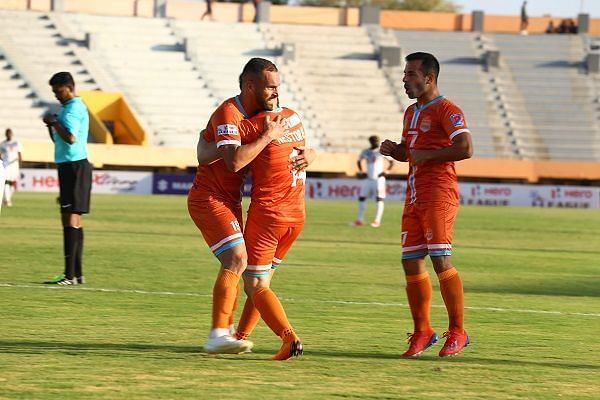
(338, 83)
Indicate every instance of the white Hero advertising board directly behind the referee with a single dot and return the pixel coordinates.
(46, 180)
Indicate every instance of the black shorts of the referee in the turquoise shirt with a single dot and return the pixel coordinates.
(75, 180)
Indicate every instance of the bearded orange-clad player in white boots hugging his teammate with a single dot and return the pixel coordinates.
(214, 201)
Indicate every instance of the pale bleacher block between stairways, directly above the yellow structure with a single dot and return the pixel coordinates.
(148, 64)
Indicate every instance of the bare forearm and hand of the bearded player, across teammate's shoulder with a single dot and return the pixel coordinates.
(237, 156)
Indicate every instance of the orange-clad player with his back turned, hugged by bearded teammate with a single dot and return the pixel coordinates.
(275, 219)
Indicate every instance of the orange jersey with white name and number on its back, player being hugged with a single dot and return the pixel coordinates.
(277, 192)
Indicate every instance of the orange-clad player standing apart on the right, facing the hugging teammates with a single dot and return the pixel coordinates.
(435, 135)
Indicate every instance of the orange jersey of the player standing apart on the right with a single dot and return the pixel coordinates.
(432, 126)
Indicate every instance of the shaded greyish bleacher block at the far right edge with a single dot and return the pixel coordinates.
(552, 105)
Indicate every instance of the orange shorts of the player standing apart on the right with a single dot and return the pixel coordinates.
(427, 229)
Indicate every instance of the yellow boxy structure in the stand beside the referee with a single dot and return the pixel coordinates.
(110, 108)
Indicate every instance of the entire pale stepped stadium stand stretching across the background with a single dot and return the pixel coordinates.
(174, 72)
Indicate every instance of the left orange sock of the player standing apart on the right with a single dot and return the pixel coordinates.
(418, 290)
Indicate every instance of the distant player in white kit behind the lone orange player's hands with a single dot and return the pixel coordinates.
(373, 181)
